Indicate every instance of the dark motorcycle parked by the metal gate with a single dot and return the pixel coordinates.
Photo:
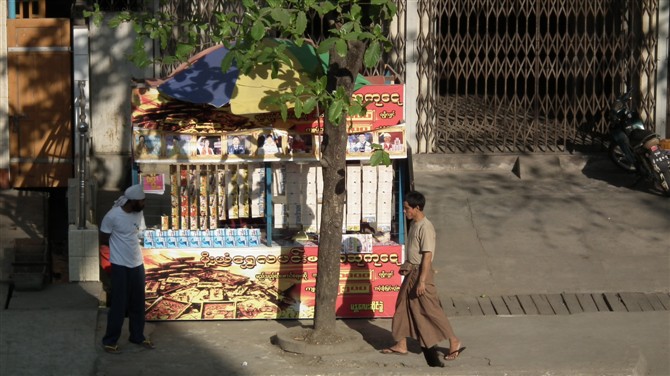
(634, 148)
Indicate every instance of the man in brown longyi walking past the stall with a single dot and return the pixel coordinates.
(419, 312)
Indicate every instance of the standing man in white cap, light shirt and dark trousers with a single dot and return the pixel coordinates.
(119, 230)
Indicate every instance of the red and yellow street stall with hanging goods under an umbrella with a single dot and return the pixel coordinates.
(235, 235)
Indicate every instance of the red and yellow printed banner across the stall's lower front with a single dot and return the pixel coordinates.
(265, 283)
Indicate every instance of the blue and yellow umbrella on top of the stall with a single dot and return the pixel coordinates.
(202, 81)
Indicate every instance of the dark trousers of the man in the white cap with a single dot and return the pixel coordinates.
(127, 297)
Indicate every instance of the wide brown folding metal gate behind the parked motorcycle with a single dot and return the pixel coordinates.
(531, 75)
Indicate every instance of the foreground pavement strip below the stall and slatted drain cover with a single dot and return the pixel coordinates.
(57, 331)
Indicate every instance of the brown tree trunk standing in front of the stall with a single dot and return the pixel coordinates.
(341, 73)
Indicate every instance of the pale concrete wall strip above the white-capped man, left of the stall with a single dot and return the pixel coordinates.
(110, 86)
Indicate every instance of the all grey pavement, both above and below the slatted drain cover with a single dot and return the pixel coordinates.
(564, 225)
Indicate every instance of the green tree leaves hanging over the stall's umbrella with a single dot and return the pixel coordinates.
(347, 21)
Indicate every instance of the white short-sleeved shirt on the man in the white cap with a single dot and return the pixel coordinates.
(124, 228)
